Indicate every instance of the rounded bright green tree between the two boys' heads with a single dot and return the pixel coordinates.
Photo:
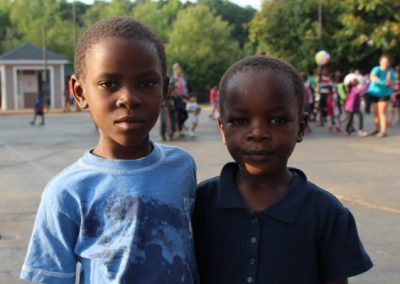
(202, 43)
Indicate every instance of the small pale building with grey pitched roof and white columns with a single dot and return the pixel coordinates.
(27, 70)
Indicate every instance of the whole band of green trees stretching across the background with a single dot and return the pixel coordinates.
(207, 36)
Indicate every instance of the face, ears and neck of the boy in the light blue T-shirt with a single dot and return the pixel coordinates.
(123, 88)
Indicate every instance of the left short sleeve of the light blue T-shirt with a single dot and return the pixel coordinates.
(50, 257)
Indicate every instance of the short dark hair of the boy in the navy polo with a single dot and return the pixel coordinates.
(263, 63)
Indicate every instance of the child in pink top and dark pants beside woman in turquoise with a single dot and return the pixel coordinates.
(353, 102)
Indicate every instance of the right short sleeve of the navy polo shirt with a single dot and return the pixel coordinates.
(341, 253)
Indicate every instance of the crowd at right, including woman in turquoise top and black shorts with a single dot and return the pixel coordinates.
(336, 100)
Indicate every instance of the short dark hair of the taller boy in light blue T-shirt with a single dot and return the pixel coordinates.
(121, 27)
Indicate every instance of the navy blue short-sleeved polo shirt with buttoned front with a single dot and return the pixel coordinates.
(307, 236)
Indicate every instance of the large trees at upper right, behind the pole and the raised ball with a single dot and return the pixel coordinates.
(354, 32)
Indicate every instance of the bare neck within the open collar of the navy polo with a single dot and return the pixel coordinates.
(259, 192)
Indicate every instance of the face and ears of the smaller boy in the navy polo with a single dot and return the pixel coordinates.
(261, 123)
